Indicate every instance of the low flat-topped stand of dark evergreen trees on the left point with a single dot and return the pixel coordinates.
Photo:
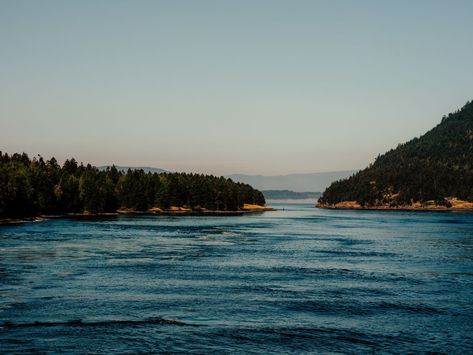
(31, 187)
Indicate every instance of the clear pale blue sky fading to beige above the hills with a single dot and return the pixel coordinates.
(221, 87)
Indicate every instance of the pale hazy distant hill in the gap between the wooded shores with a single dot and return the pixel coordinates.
(292, 182)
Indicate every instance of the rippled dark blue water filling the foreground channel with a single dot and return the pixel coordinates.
(298, 280)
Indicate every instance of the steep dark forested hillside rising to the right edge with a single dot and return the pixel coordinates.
(437, 165)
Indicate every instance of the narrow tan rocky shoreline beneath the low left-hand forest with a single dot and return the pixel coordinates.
(174, 211)
